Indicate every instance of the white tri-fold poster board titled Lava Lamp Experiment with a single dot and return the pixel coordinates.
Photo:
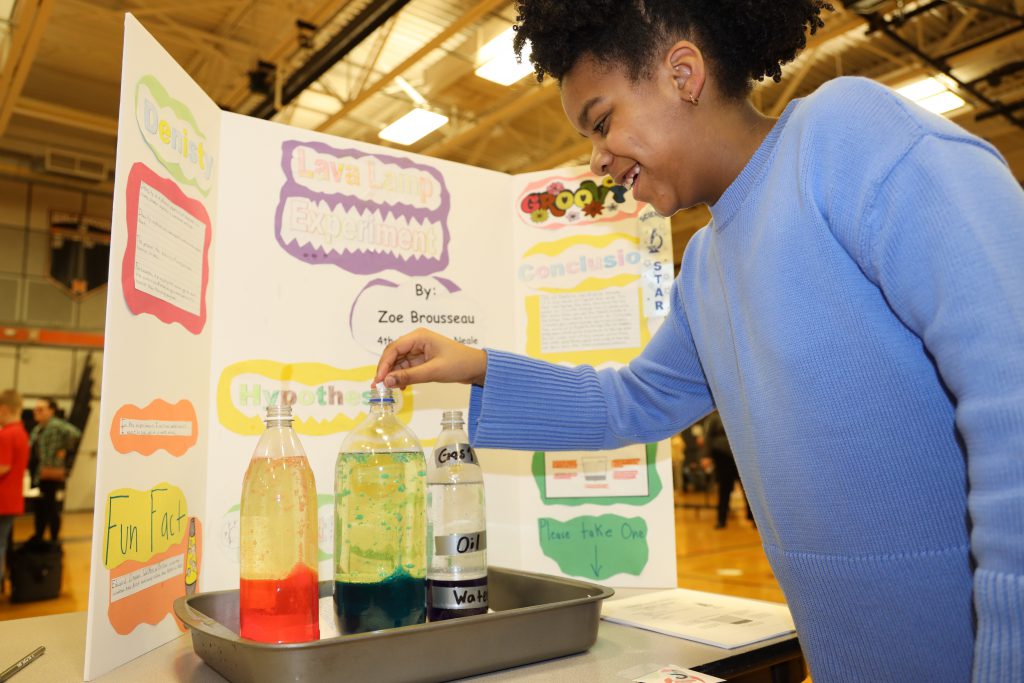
(254, 264)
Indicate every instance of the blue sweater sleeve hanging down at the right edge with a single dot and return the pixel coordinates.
(945, 241)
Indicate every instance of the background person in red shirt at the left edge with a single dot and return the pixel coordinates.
(14, 460)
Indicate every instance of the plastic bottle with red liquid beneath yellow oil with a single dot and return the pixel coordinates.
(279, 596)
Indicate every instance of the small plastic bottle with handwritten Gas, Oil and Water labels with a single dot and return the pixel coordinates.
(457, 581)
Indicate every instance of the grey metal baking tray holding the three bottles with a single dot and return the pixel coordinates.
(535, 618)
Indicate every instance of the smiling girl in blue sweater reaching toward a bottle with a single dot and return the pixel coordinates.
(855, 311)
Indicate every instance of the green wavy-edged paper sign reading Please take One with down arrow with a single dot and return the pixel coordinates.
(596, 547)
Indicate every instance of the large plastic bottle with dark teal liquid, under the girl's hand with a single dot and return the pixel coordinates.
(380, 542)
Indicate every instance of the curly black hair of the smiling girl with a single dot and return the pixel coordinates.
(744, 40)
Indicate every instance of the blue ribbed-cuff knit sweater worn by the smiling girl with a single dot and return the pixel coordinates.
(856, 312)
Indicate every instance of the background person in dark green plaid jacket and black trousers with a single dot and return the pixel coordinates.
(53, 439)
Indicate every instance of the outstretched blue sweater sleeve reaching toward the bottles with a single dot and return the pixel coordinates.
(533, 405)
